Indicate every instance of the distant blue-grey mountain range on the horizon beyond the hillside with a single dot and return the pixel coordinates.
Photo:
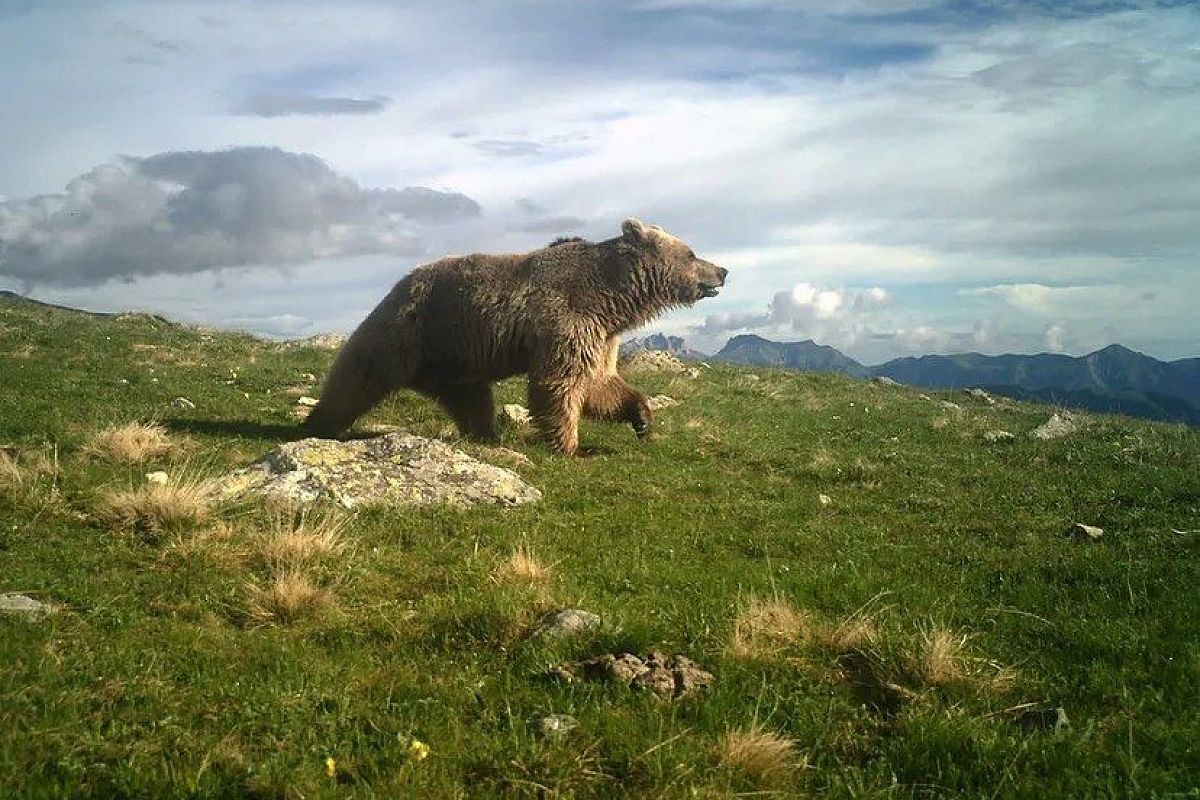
(1114, 380)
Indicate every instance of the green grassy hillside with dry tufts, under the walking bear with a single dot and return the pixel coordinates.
(907, 639)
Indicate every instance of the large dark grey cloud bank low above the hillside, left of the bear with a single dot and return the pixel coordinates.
(194, 212)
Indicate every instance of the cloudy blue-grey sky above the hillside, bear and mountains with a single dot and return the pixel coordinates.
(887, 177)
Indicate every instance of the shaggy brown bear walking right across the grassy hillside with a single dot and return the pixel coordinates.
(452, 328)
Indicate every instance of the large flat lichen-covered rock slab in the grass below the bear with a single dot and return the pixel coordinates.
(398, 468)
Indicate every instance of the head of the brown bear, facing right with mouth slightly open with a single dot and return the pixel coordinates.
(675, 267)
